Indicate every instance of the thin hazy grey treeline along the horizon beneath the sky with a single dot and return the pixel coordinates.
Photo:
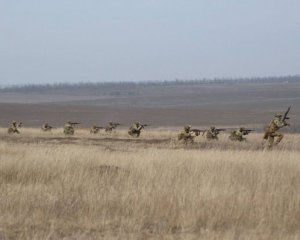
(177, 82)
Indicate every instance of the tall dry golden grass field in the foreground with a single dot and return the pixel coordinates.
(100, 187)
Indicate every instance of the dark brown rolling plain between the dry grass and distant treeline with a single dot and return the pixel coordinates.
(199, 104)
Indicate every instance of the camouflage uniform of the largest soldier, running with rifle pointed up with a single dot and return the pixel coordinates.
(271, 131)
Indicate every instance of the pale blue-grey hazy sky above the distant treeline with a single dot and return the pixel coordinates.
(50, 41)
